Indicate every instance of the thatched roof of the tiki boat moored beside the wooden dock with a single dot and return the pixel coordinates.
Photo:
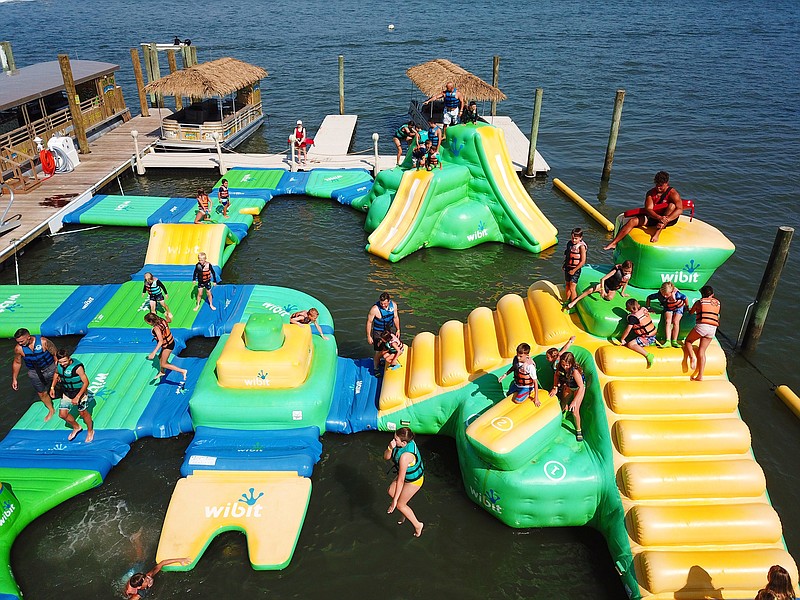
(206, 80)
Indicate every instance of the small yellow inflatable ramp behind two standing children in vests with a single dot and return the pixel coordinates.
(180, 243)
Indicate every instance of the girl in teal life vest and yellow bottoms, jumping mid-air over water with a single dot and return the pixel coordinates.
(403, 452)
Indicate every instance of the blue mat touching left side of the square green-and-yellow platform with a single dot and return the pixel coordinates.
(167, 413)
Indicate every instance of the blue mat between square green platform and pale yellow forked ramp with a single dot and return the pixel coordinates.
(237, 450)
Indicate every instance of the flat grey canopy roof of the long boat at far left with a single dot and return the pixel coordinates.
(43, 79)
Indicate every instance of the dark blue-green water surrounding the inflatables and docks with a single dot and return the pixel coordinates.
(712, 96)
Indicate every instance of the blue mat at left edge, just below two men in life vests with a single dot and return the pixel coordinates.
(51, 449)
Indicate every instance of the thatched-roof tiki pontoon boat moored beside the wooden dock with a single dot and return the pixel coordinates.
(225, 103)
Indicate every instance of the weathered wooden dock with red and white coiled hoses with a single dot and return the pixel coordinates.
(110, 155)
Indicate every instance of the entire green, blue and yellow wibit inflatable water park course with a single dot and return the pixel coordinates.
(665, 468)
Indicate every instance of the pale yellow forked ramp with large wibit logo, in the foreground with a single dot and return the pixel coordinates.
(267, 506)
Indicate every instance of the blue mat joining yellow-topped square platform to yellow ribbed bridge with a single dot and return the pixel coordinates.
(355, 398)
